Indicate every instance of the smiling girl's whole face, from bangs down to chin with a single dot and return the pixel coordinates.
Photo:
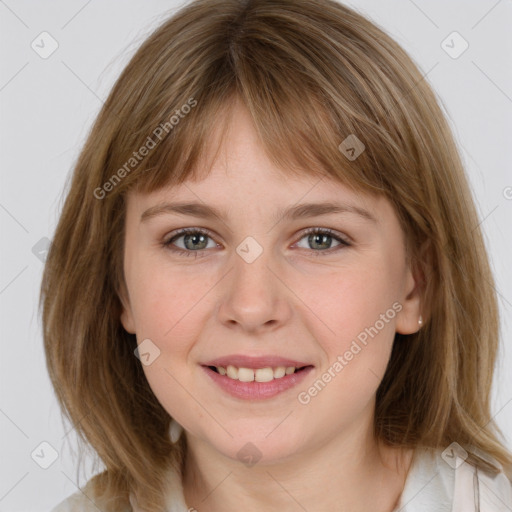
(253, 283)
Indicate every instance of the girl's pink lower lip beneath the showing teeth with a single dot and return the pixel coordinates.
(257, 390)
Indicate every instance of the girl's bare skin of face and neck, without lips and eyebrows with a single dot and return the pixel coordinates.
(291, 301)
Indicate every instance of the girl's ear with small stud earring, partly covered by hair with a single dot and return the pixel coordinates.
(407, 320)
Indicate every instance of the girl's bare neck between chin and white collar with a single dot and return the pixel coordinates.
(350, 473)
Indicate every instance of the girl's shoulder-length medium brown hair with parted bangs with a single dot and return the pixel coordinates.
(311, 73)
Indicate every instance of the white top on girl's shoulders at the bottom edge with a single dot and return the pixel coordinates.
(432, 485)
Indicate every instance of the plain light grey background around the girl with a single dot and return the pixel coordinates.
(47, 108)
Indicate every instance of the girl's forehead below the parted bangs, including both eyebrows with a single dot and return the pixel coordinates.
(236, 178)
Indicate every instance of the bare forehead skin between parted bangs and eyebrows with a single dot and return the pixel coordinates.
(236, 168)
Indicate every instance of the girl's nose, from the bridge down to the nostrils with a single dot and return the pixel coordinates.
(253, 298)
